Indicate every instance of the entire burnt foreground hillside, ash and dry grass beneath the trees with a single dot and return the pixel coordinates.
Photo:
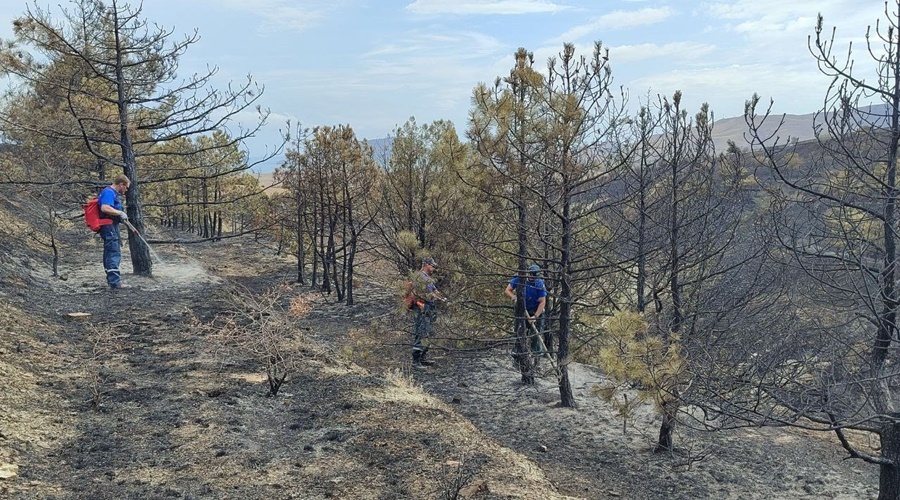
(177, 419)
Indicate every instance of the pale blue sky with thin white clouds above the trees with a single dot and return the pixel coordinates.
(374, 63)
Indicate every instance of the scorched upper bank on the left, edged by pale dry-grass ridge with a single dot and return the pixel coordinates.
(131, 401)
